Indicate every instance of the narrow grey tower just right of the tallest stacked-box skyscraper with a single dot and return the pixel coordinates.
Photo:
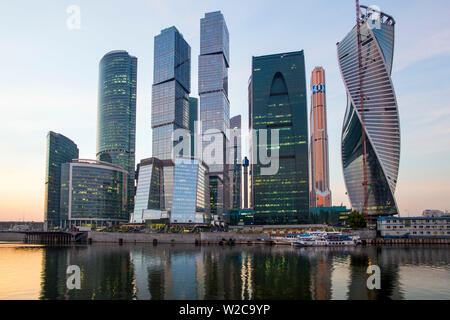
(235, 166)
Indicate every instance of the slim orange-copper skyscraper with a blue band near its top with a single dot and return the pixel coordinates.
(320, 177)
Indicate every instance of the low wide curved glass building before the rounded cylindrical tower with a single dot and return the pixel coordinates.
(93, 193)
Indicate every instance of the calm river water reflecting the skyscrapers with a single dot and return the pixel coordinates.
(144, 271)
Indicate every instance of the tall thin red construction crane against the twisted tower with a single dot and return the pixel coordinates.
(365, 183)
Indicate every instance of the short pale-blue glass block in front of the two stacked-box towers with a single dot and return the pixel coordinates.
(191, 192)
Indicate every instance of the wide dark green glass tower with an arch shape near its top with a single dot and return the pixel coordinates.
(278, 101)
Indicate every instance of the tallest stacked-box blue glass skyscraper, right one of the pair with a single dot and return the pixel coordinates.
(213, 64)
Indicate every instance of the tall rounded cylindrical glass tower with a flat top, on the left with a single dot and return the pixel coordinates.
(116, 135)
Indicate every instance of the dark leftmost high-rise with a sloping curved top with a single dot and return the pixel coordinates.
(60, 150)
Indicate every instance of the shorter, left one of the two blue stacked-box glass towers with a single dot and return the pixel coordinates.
(170, 100)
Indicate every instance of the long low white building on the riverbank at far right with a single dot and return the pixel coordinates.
(413, 227)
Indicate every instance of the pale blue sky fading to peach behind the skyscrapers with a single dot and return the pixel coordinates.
(49, 80)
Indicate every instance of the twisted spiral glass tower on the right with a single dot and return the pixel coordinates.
(371, 116)
